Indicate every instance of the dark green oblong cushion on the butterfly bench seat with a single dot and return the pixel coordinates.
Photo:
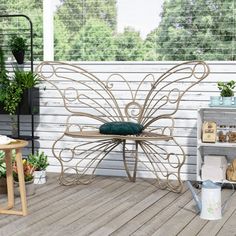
(121, 128)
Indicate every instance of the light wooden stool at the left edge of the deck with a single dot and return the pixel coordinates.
(10, 189)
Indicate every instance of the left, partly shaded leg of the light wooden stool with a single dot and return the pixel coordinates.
(10, 189)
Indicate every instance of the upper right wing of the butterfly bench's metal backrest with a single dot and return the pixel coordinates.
(164, 97)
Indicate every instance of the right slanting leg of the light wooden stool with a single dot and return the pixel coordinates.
(21, 181)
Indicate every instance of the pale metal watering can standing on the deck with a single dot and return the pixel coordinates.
(209, 205)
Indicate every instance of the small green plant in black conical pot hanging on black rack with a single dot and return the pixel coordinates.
(18, 47)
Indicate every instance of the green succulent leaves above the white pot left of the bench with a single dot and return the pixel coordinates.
(39, 161)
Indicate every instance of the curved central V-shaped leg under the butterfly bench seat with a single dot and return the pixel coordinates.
(132, 178)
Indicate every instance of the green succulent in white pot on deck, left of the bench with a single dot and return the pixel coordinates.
(40, 163)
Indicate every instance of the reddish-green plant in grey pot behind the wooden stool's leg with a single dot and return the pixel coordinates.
(28, 170)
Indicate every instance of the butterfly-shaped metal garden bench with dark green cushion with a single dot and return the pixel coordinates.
(92, 102)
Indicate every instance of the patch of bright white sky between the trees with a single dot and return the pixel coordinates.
(143, 15)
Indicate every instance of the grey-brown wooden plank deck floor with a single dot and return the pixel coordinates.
(113, 206)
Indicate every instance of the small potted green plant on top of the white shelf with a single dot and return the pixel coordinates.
(226, 92)
